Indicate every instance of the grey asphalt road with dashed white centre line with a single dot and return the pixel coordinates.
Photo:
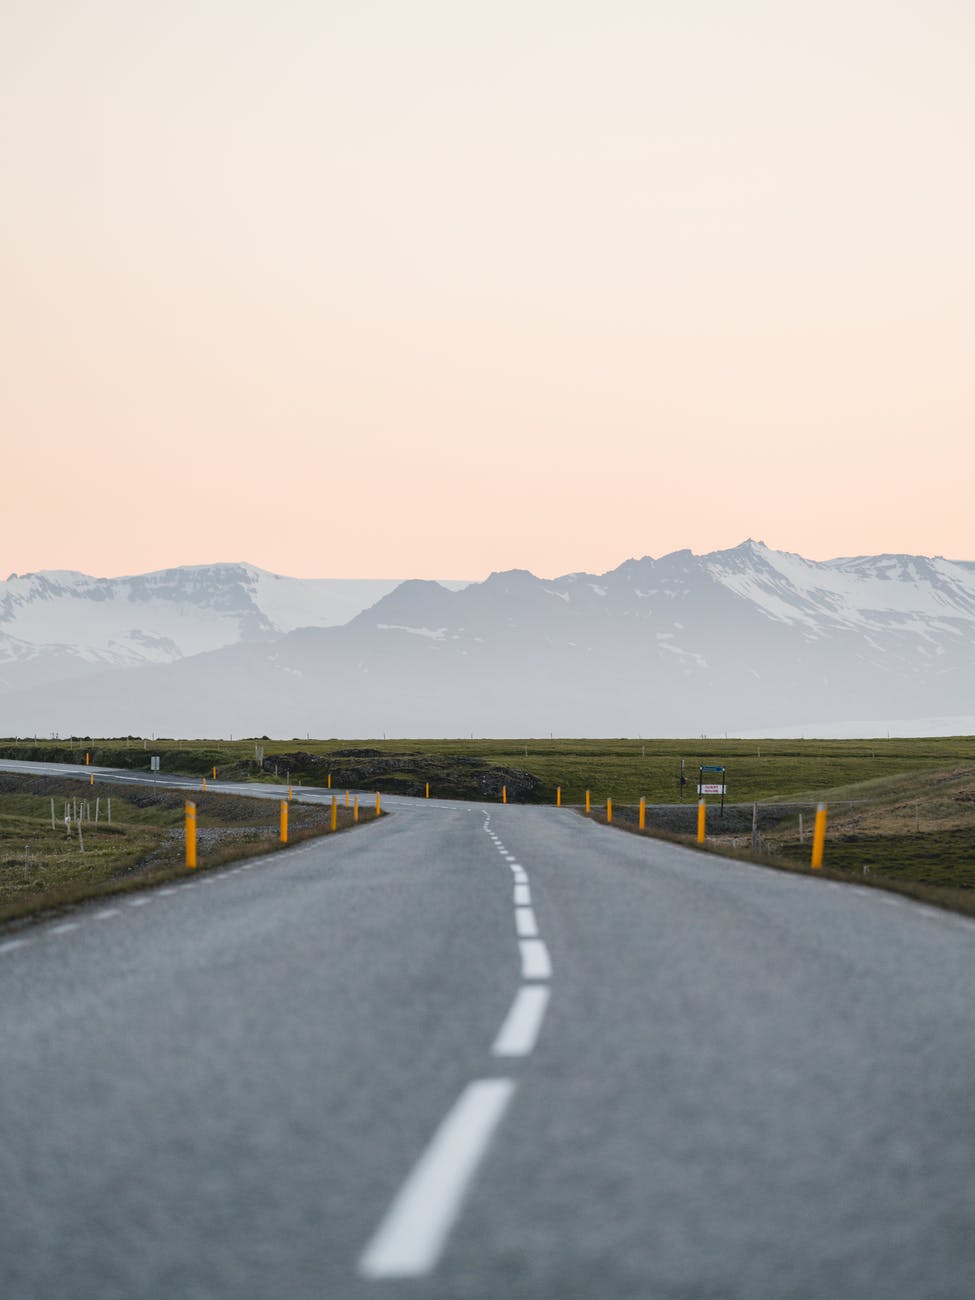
(489, 1052)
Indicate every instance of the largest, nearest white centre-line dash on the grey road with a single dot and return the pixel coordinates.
(411, 1238)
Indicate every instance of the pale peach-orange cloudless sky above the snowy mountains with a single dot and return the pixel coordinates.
(430, 289)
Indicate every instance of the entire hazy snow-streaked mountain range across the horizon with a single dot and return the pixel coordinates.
(743, 642)
